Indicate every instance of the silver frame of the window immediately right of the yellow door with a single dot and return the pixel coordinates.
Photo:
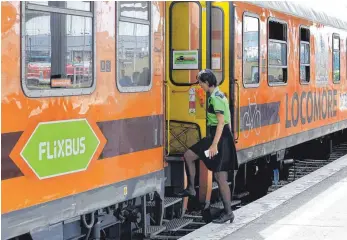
(251, 85)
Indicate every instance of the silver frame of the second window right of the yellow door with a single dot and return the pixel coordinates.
(272, 84)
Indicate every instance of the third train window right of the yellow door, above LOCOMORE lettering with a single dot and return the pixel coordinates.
(304, 55)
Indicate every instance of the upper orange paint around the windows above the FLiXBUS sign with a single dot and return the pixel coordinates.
(105, 103)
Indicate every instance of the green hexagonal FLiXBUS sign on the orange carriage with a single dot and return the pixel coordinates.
(61, 147)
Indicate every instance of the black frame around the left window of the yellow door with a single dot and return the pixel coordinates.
(170, 42)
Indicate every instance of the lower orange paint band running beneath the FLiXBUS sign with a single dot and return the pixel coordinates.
(22, 192)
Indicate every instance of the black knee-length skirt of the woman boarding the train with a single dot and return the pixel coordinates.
(226, 159)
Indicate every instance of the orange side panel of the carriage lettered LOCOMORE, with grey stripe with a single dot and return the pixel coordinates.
(276, 115)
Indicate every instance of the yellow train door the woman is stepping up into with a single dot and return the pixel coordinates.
(197, 37)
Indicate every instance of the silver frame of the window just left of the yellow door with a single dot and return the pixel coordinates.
(149, 22)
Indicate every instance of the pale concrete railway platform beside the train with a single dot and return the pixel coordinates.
(312, 207)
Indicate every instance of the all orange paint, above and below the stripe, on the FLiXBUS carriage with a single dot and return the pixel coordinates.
(20, 113)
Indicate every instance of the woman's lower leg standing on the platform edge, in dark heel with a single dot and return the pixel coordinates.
(224, 189)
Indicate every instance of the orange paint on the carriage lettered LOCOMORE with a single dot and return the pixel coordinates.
(266, 94)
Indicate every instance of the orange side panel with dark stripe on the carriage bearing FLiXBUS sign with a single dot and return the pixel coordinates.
(130, 123)
